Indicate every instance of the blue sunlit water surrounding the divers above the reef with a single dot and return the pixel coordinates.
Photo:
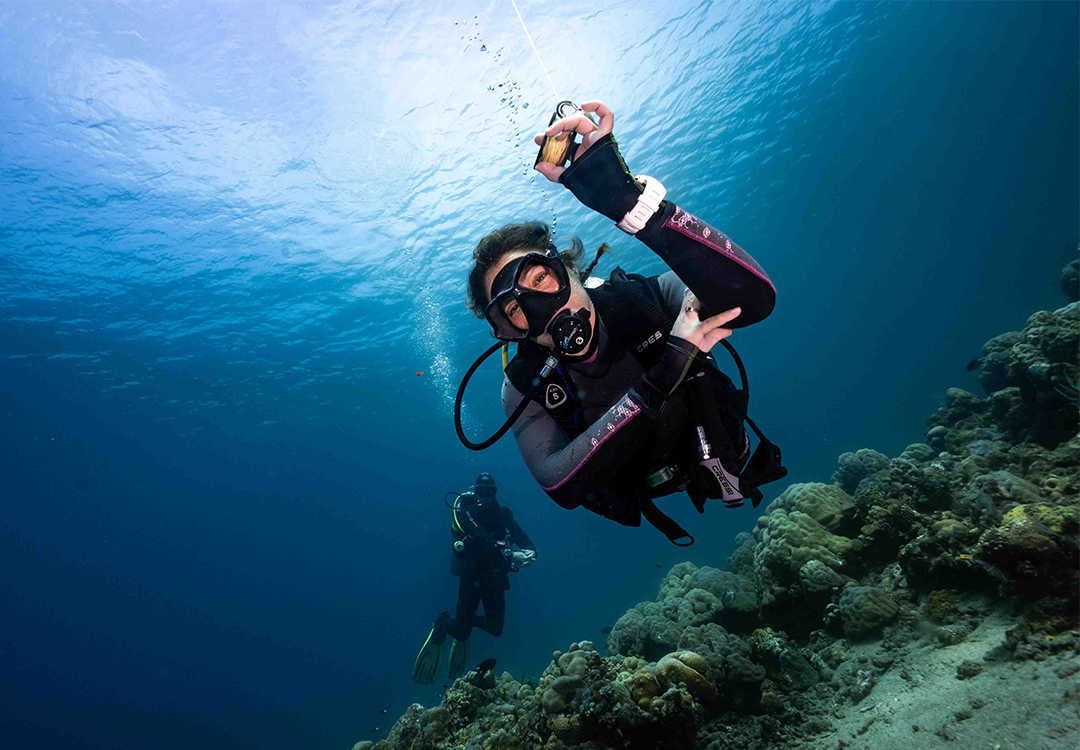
(233, 236)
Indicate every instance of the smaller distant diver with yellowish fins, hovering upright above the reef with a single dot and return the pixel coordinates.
(488, 546)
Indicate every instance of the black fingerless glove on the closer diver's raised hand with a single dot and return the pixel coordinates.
(600, 179)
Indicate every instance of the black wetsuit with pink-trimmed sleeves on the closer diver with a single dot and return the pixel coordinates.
(620, 416)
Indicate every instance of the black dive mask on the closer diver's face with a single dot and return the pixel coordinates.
(535, 287)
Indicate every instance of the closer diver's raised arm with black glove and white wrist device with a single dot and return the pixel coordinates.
(720, 273)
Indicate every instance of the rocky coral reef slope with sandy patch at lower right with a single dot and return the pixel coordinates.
(921, 598)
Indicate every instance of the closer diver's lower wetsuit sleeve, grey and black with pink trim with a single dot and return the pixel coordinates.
(580, 472)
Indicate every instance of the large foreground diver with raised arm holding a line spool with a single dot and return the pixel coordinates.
(613, 395)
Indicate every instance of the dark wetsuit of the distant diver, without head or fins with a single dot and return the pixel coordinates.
(483, 569)
